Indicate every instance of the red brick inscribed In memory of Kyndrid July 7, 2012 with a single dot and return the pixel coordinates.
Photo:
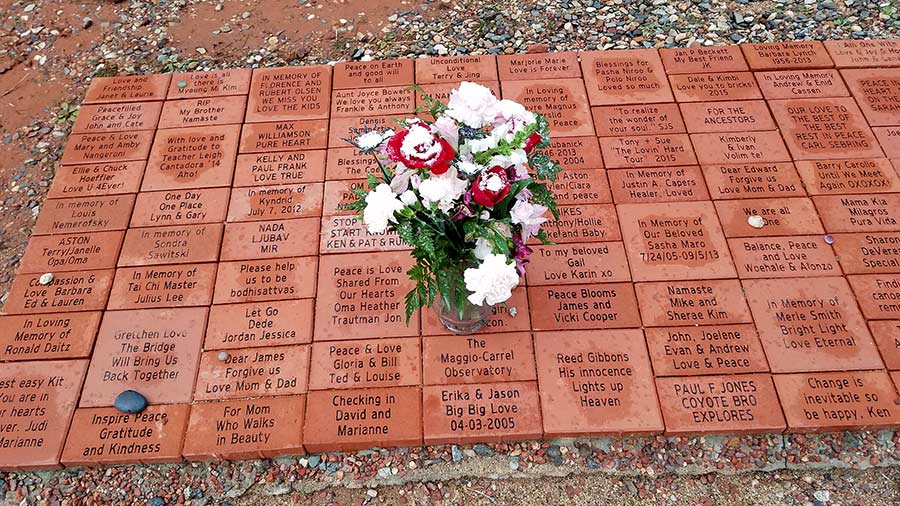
(257, 203)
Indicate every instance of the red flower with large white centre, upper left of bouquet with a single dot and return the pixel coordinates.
(417, 148)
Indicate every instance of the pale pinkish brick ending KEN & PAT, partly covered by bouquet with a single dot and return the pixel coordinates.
(347, 234)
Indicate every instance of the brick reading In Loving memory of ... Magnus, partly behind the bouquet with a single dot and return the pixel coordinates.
(562, 102)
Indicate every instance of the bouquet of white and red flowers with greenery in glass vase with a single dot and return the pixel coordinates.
(466, 191)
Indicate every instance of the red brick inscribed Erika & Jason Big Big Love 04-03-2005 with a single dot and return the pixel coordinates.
(486, 412)
